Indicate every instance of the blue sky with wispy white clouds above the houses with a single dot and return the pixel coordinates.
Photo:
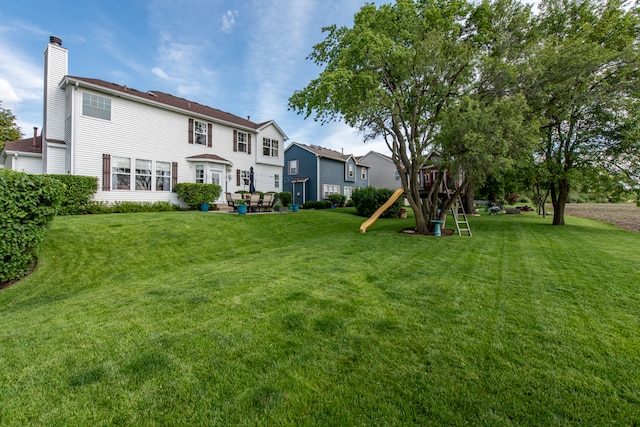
(245, 56)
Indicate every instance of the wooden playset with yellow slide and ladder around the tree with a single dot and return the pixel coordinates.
(427, 179)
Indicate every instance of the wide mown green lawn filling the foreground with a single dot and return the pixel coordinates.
(188, 318)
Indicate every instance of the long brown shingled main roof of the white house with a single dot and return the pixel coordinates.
(158, 97)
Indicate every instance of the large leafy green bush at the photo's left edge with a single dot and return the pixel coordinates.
(27, 206)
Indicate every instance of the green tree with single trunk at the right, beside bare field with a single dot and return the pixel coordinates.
(585, 83)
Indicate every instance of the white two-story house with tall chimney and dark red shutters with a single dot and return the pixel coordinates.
(140, 144)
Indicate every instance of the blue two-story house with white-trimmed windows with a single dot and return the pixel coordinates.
(314, 173)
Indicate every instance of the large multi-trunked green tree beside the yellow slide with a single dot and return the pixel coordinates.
(411, 73)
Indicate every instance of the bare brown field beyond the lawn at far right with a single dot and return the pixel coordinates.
(623, 215)
